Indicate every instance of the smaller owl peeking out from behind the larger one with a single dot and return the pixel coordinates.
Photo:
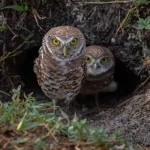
(100, 65)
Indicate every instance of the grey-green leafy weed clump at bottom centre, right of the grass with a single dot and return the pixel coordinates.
(79, 131)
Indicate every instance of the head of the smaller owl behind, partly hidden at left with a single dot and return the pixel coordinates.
(99, 61)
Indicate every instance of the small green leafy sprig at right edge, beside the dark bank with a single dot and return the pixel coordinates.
(144, 23)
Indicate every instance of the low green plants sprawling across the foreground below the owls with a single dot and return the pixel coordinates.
(26, 115)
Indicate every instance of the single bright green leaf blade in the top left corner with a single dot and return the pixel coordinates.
(17, 7)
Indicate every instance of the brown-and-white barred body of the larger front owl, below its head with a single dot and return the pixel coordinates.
(59, 80)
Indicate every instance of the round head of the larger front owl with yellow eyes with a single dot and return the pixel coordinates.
(64, 42)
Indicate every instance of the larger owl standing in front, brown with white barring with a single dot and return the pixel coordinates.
(61, 63)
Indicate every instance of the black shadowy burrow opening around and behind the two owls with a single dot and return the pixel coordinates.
(126, 79)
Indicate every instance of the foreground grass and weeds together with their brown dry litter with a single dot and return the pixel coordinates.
(35, 125)
